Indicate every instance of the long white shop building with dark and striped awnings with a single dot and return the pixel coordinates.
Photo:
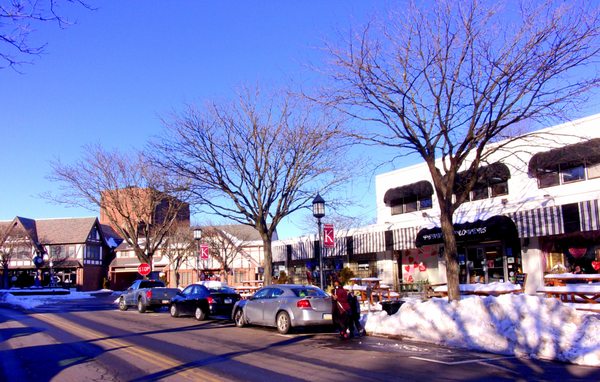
(535, 209)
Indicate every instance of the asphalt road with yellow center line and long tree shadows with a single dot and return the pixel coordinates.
(91, 340)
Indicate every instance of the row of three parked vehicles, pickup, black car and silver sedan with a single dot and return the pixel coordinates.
(283, 306)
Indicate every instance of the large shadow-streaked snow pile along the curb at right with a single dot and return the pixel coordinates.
(512, 324)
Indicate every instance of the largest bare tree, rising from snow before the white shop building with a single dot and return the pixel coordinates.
(444, 81)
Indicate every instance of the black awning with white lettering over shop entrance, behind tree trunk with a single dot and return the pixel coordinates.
(494, 228)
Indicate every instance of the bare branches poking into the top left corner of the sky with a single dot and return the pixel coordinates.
(17, 20)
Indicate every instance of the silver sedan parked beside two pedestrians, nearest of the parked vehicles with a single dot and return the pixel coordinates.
(284, 306)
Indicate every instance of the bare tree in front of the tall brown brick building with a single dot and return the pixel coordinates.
(141, 202)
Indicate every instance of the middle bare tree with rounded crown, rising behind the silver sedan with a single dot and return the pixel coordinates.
(255, 162)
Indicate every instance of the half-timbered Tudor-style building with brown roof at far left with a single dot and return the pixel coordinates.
(76, 251)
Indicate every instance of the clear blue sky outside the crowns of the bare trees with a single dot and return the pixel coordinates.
(110, 76)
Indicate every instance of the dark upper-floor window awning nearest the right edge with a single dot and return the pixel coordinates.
(571, 155)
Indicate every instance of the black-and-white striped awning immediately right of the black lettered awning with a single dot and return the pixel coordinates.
(538, 222)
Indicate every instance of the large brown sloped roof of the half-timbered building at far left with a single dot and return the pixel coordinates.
(64, 231)
